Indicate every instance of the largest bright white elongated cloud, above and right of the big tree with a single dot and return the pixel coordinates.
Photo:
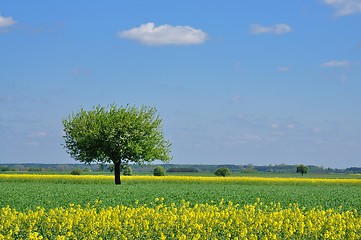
(166, 34)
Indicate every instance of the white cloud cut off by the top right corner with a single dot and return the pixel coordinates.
(345, 7)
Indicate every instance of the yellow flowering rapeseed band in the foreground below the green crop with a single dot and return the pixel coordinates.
(160, 221)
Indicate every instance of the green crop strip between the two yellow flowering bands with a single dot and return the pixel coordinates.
(49, 193)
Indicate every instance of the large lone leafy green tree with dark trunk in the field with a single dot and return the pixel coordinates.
(117, 135)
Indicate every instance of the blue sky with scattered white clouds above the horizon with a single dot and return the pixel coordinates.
(237, 82)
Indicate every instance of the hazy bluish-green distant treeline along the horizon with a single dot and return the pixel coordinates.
(248, 168)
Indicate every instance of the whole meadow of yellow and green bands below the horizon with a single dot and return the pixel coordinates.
(179, 207)
